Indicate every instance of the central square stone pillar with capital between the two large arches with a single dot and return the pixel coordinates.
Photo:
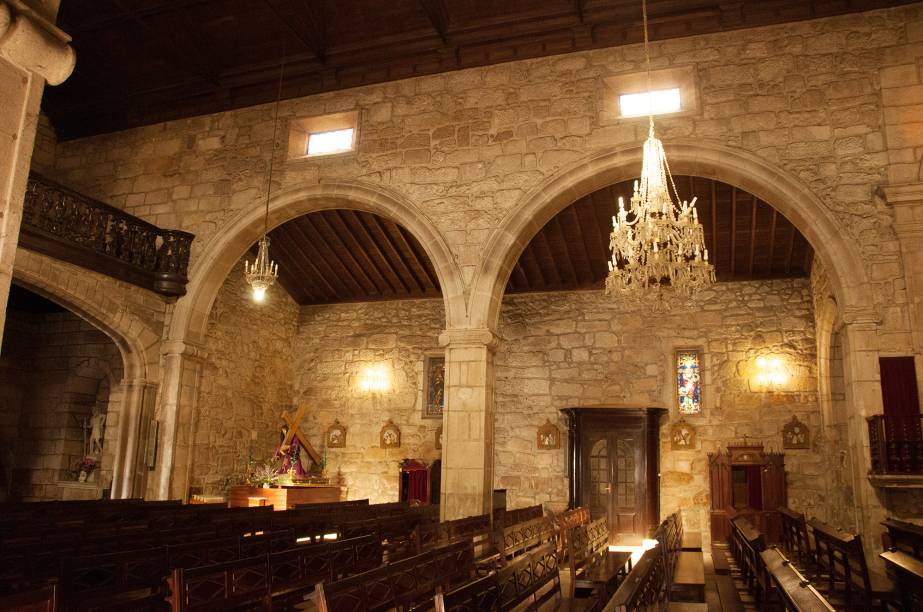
(468, 423)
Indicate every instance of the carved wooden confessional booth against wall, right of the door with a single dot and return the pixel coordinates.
(752, 482)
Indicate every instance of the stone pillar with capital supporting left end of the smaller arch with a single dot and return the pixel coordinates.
(176, 416)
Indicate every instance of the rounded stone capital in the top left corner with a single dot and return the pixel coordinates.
(30, 41)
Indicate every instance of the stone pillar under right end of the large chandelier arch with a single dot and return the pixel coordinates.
(863, 398)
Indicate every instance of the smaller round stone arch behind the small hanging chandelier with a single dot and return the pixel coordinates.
(223, 251)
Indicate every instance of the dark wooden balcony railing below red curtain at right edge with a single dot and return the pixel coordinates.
(896, 444)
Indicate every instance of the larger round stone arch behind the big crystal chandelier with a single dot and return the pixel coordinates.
(730, 165)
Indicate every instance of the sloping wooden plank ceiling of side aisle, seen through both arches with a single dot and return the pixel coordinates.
(346, 255)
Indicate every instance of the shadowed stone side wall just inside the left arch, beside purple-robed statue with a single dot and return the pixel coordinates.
(247, 381)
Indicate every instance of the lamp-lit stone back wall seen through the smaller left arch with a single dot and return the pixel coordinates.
(336, 347)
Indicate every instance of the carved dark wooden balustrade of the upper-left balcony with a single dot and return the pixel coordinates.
(75, 228)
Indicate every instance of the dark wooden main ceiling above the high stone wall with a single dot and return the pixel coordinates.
(144, 61)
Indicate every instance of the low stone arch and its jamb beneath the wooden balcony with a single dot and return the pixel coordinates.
(138, 345)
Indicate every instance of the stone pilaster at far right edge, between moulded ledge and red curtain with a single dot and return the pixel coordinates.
(907, 202)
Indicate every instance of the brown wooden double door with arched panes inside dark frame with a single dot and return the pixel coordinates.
(614, 468)
